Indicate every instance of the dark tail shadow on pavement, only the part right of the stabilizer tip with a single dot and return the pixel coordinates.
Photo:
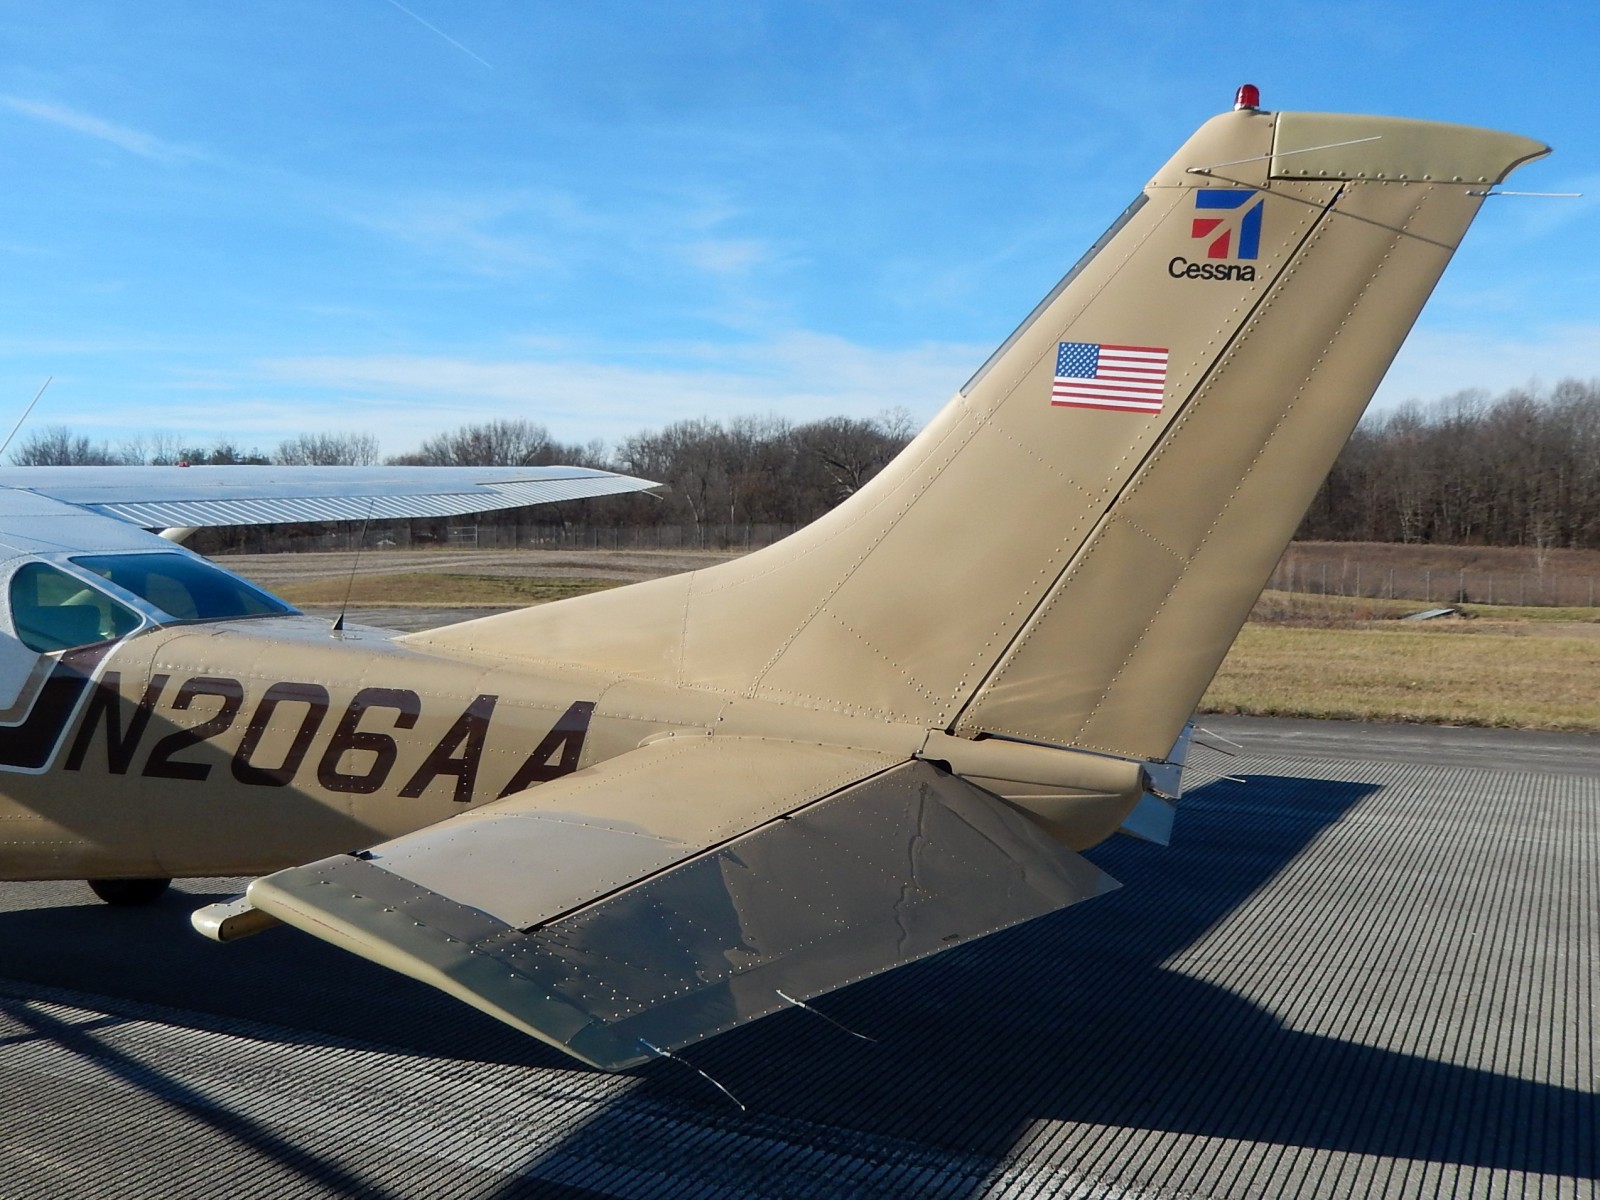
(1074, 1018)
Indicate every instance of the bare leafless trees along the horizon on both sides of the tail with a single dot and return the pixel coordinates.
(1470, 470)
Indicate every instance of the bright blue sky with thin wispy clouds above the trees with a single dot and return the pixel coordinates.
(252, 220)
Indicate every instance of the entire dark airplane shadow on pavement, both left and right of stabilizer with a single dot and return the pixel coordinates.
(1070, 1018)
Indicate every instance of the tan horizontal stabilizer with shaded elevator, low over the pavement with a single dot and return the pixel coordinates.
(687, 887)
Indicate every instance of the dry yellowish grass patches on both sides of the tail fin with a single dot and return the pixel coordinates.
(1300, 657)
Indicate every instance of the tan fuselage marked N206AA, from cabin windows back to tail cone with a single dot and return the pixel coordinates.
(247, 746)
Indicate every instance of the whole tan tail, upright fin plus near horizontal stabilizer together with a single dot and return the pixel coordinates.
(916, 711)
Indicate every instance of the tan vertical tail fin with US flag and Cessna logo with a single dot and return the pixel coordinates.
(1068, 551)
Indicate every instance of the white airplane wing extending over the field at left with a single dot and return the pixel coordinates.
(161, 498)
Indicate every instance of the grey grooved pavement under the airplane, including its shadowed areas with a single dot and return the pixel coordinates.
(1366, 970)
